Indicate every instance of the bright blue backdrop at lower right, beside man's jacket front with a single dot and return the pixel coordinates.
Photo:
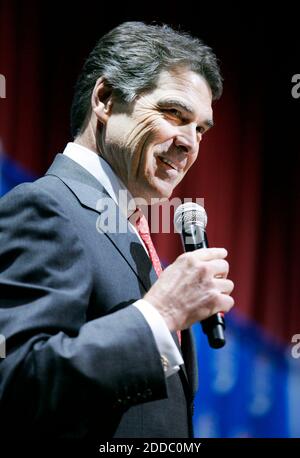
(249, 388)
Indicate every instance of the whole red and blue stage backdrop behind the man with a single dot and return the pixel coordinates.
(247, 172)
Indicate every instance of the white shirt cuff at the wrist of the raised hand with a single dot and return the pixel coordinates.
(170, 355)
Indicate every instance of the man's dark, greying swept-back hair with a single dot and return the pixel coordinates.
(130, 58)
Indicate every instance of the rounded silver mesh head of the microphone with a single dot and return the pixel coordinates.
(188, 214)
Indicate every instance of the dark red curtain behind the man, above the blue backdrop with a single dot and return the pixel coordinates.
(248, 167)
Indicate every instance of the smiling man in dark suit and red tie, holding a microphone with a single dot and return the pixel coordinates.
(91, 331)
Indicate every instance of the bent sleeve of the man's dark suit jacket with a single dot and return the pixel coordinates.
(59, 368)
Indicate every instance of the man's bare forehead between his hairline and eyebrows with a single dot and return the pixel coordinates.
(184, 85)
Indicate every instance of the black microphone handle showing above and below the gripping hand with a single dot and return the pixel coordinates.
(213, 326)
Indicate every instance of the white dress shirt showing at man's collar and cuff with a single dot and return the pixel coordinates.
(101, 170)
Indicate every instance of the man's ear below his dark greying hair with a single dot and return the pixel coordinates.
(102, 100)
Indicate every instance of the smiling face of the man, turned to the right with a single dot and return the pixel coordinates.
(152, 142)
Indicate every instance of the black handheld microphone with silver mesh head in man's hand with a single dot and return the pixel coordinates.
(190, 221)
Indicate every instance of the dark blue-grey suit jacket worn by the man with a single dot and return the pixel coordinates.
(81, 360)
